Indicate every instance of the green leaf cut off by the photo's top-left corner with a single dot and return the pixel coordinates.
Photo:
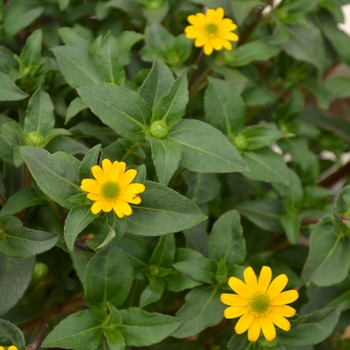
(17, 15)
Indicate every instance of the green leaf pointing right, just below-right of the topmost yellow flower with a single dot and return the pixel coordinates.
(258, 50)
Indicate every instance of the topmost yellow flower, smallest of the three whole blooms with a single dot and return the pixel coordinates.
(211, 30)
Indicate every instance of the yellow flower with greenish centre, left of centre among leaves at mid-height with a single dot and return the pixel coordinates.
(112, 188)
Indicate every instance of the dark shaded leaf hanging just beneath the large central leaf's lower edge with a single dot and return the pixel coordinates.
(202, 188)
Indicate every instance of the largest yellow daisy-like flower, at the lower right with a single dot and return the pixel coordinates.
(260, 304)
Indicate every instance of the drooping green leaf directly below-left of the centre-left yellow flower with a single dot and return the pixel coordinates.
(77, 219)
